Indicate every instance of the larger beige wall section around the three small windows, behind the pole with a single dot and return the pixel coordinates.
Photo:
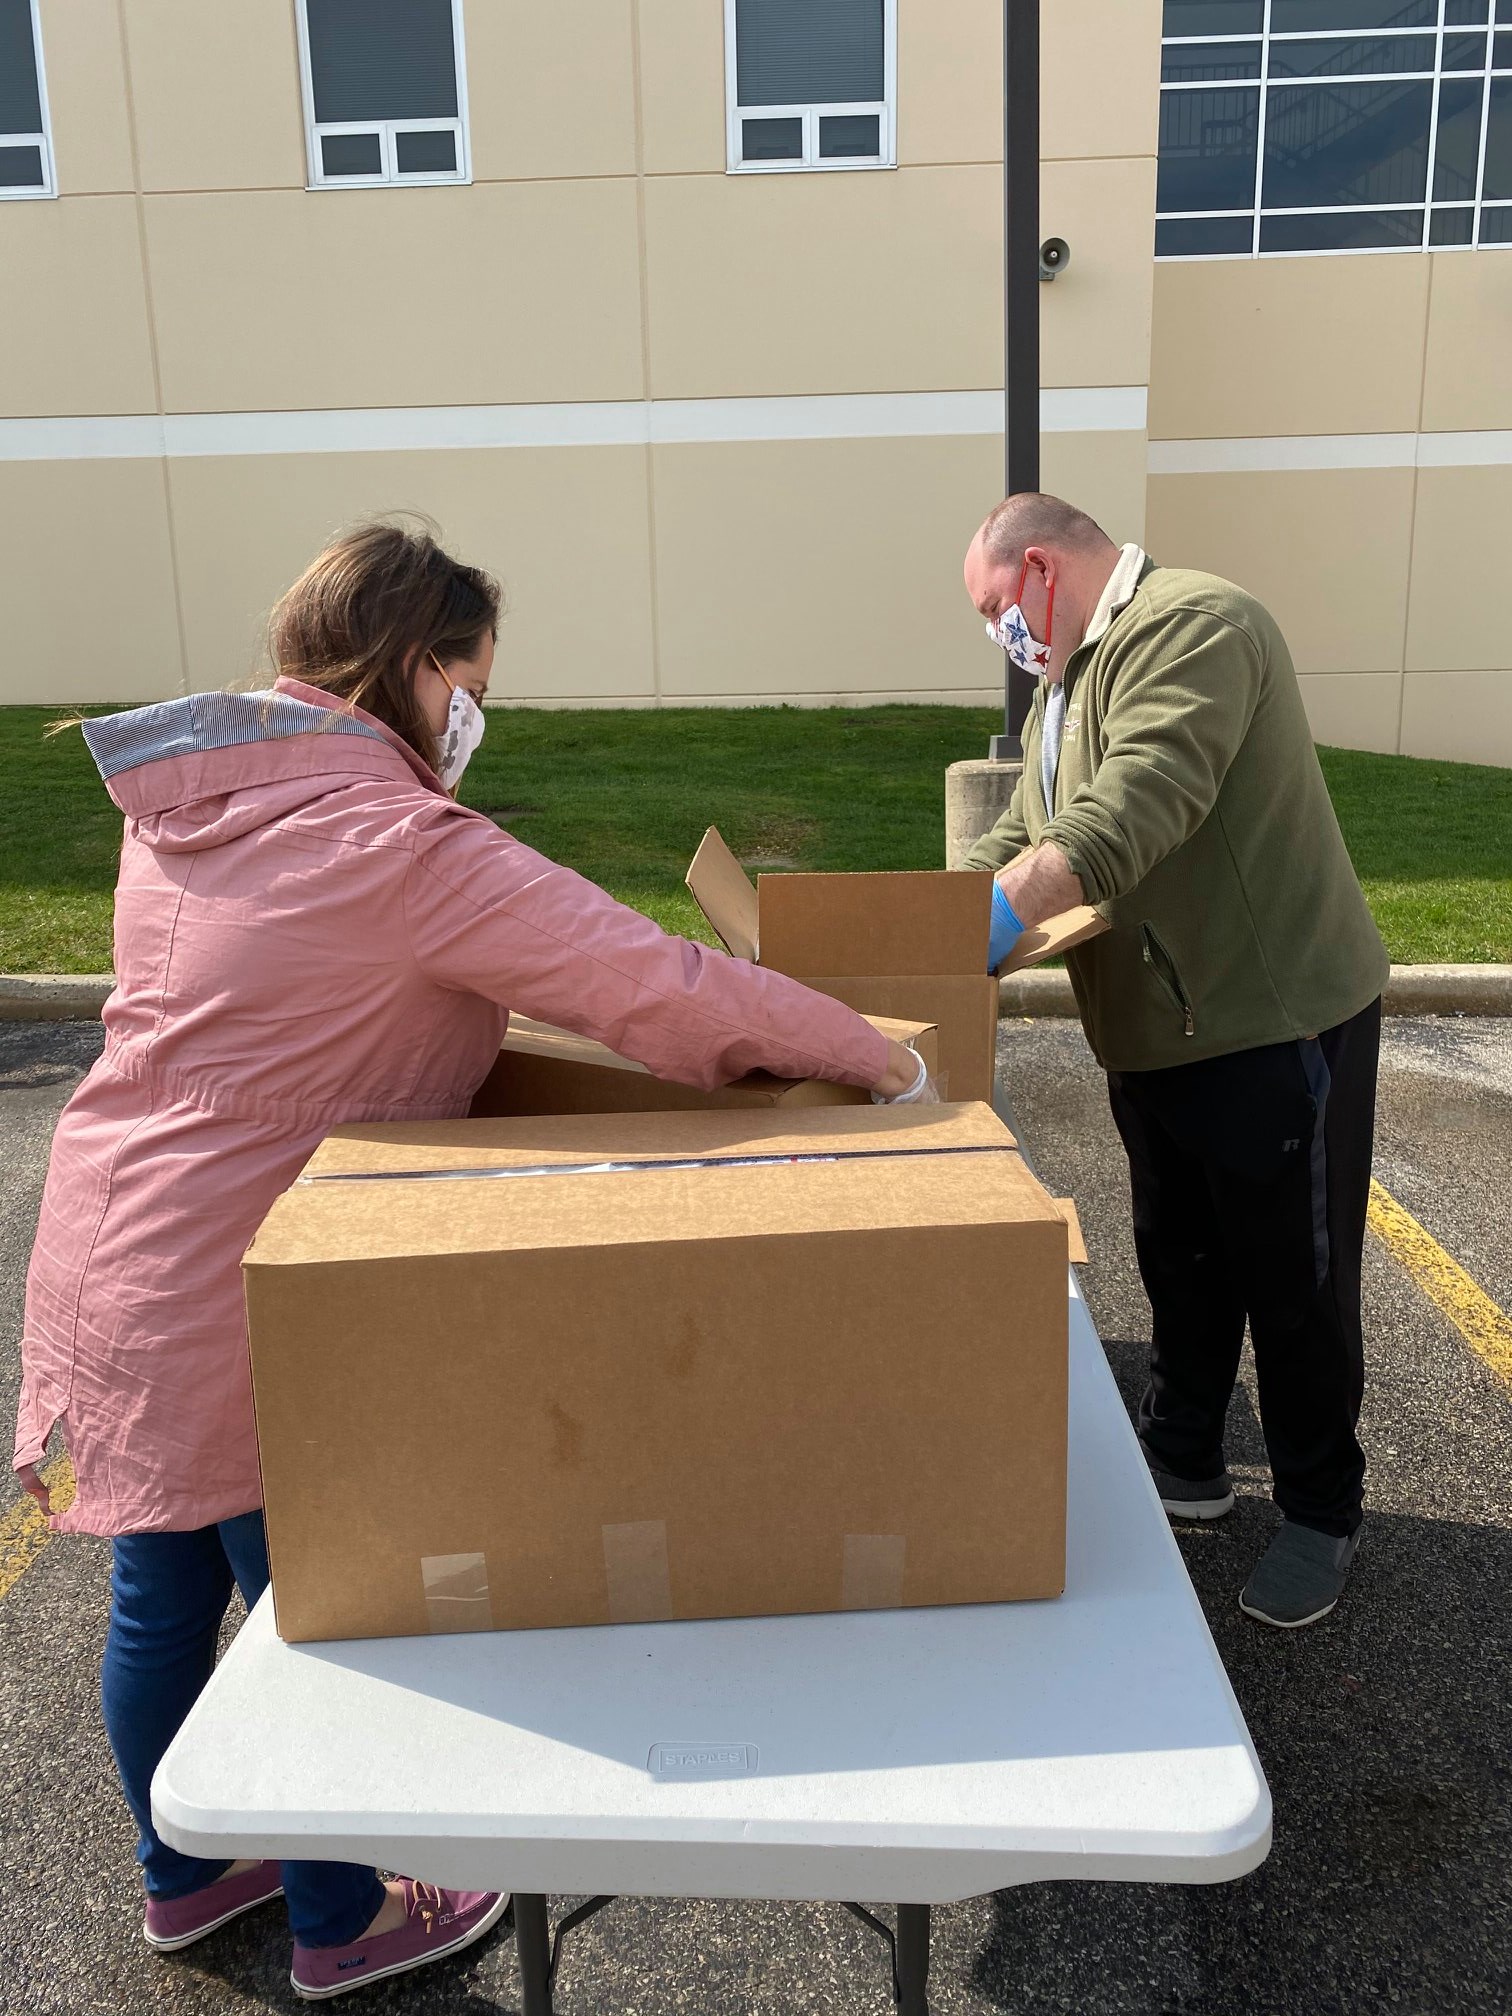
(723, 436)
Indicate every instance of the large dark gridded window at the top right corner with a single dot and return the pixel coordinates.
(1334, 126)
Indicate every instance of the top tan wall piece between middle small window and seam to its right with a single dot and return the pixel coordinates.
(551, 90)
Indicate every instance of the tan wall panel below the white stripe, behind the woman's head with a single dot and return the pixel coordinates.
(249, 525)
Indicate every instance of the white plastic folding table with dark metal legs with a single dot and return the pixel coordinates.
(902, 1757)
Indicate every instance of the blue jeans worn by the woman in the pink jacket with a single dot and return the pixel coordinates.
(168, 1600)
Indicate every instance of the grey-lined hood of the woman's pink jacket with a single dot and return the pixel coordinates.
(203, 771)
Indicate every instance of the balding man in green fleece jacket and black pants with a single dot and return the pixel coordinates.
(1170, 779)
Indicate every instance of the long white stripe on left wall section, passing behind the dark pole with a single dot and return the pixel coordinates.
(604, 424)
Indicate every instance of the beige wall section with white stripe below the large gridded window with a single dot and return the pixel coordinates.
(1334, 434)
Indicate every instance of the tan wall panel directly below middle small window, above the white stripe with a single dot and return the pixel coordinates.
(398, 297)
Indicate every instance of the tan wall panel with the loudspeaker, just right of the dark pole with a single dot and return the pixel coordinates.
(1096, 318)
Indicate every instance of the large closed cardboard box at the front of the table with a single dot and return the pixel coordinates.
(622, 1368)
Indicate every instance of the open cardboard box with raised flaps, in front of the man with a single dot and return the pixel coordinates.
(912, 947)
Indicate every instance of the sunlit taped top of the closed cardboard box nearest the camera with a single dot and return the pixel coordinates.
(432, 1188)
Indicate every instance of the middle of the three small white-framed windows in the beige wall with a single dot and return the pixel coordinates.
(384, 92)
